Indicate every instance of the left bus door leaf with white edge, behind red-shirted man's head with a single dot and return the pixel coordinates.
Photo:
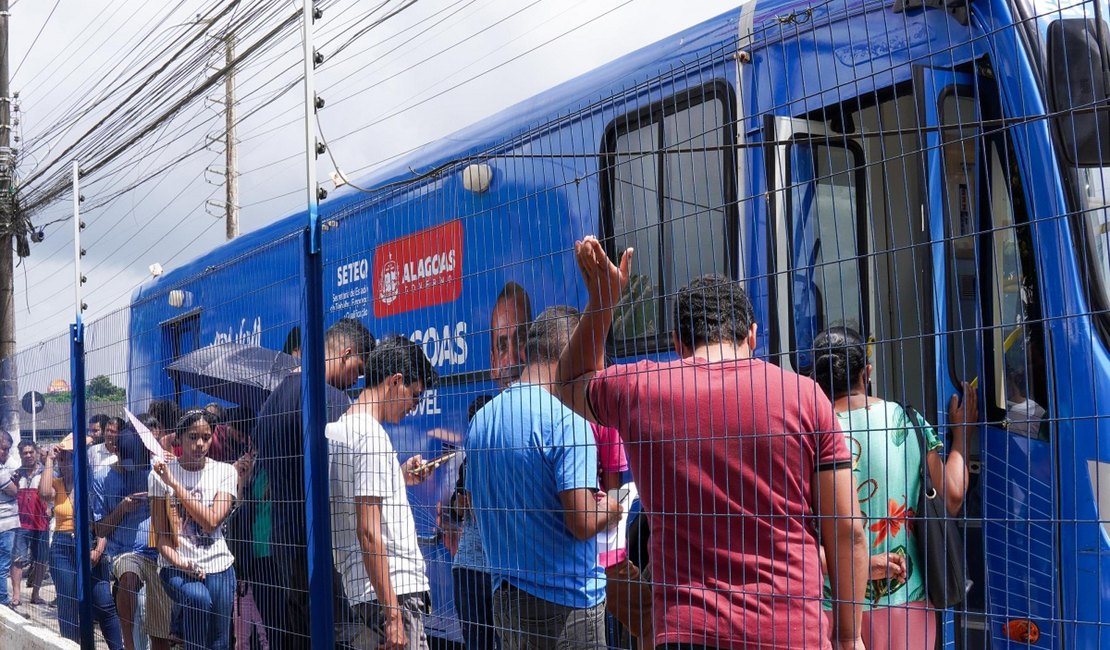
(820, 221)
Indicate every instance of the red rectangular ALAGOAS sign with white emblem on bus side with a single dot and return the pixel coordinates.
(419, 271)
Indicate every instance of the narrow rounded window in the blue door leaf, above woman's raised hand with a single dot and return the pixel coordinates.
(960, 141)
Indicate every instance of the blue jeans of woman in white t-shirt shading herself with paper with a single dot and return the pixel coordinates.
(206, 606)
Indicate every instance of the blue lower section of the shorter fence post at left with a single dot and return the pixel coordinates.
(82, 487)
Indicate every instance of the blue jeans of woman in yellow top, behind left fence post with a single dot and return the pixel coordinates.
(64, 571)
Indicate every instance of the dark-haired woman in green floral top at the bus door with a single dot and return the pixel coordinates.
(887, 465)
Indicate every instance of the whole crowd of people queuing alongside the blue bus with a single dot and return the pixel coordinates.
(714, 501)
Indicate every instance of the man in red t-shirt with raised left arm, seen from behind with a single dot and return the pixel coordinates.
(740, 464)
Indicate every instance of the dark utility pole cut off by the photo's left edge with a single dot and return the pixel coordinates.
(9, 389)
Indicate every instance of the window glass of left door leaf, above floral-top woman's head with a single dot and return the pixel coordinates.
(829, 281)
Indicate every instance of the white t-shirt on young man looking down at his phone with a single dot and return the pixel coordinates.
(365, 464)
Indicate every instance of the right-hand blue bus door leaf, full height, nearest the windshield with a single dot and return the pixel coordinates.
(984, 304)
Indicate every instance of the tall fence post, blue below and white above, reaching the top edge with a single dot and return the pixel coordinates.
(318, 514)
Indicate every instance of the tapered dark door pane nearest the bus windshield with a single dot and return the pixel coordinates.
(1017, 344)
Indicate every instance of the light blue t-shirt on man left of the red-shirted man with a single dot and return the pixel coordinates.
(523, 450)
